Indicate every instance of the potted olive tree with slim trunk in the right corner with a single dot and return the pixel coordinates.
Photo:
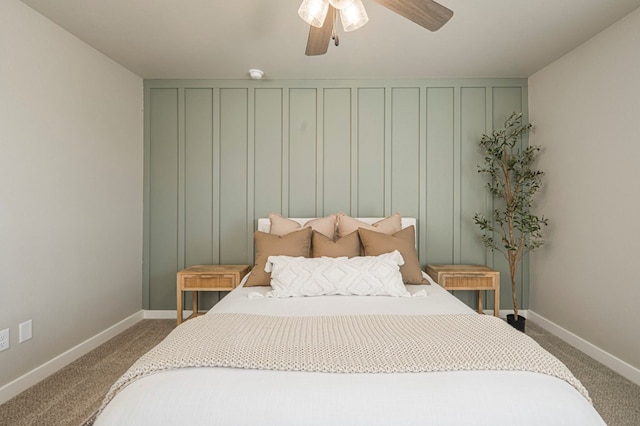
(512, 229)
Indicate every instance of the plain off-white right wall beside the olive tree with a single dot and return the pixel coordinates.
(586, 111)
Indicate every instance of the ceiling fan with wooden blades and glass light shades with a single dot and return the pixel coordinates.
(322, 15)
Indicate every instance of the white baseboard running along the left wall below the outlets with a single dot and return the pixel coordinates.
(34, 376)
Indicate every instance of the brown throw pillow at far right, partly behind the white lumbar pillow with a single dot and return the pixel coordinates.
(376, 243)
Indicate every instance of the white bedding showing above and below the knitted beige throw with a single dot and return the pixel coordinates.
(228, 396)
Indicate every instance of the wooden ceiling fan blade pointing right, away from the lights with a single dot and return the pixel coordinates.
(426, 13)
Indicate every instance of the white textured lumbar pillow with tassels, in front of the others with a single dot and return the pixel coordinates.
(362, 276)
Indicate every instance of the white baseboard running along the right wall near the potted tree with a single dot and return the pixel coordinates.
(619, 366)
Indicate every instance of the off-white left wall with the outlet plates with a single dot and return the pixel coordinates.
(71, 167)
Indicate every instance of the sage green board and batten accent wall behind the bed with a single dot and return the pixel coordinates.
(221, 153)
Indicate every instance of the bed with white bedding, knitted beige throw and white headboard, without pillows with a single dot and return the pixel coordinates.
(395, 387)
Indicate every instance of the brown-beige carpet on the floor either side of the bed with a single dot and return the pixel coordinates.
(73, 394)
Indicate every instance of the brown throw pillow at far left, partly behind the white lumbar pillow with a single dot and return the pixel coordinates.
(294, 244)
